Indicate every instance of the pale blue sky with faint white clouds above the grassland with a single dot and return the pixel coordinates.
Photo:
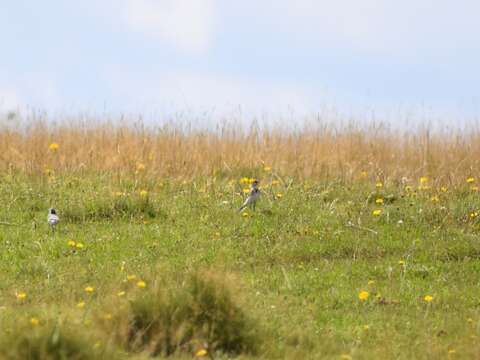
(255, 57)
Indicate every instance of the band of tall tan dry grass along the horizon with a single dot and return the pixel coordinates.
(316, 150)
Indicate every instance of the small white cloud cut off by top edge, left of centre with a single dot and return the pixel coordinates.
(186, 24)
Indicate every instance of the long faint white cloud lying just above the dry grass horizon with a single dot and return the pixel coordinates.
(207, 91)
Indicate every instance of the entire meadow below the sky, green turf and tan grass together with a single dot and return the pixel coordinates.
(364, 244)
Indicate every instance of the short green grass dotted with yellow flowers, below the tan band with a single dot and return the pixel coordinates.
(293, 268)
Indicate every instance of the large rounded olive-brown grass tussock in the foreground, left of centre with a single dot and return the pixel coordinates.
(197, 314)
